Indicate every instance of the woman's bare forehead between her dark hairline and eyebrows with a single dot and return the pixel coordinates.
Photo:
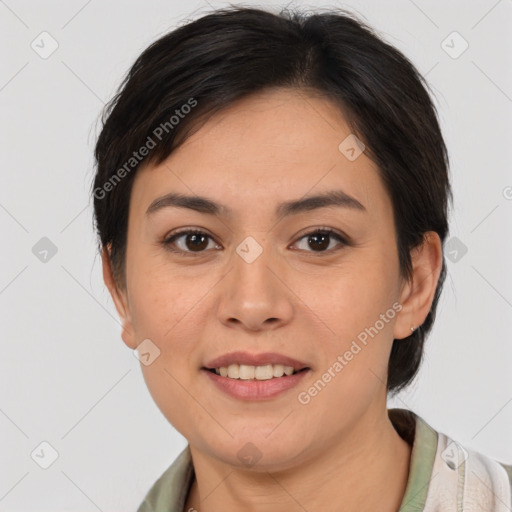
(267, 148)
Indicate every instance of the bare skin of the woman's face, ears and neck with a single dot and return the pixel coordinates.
(274, 146)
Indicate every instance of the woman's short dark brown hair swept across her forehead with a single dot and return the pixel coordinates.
(200, 68)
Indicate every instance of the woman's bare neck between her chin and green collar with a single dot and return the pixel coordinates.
(366, 470)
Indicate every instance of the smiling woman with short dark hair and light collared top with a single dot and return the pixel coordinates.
(271, 200)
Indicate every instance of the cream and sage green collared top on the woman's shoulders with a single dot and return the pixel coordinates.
(443, 476)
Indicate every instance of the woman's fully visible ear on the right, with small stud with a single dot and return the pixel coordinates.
(417, 294)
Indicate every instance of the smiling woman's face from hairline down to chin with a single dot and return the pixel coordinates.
(255, 282)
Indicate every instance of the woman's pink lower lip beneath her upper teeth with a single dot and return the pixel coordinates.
(256, 389)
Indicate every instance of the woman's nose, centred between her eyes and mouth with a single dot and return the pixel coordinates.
(254, 295)
